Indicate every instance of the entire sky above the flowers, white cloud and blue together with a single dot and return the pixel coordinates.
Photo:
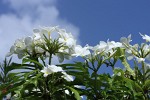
(90, 21)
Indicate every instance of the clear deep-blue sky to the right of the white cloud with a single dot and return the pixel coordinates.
(103, 19)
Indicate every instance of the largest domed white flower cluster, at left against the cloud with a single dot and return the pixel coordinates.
(31, 45)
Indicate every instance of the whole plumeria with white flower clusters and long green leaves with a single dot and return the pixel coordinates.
(40, 77)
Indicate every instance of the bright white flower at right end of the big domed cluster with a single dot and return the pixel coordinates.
(79, 51)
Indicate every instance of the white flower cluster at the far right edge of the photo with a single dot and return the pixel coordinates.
(141, 53)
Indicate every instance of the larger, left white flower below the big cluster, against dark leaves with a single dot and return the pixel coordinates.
(51, 69)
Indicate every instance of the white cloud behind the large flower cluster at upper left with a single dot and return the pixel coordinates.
(26, 15)
